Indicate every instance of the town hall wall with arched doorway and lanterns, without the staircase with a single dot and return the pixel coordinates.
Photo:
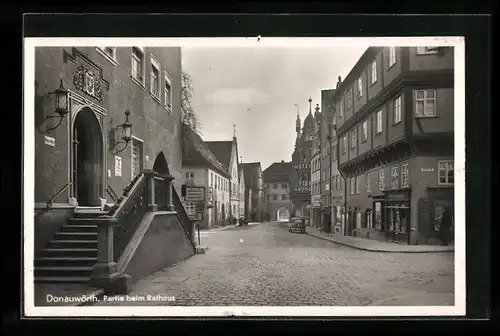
(84, 160)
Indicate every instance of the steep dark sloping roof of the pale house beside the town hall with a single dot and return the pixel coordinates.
(196, 153)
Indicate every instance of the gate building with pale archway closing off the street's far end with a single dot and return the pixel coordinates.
(277, 191)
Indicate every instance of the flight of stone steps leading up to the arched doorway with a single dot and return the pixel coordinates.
(70, 256)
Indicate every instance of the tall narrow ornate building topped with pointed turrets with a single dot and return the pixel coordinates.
(301, 160)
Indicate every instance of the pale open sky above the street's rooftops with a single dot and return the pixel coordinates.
(256, 89)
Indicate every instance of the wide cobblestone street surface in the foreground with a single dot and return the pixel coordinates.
(265, 265)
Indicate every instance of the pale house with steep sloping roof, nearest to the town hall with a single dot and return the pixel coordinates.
(202, 169)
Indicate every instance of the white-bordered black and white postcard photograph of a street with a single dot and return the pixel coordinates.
(234, 176)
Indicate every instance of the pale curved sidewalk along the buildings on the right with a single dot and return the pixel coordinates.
(377, 246)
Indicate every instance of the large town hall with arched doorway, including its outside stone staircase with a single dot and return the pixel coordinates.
(108, 165)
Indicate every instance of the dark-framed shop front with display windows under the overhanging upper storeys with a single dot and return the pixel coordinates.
(391, 215)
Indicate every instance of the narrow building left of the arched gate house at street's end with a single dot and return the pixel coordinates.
(254, 191)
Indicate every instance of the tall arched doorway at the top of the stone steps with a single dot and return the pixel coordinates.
(87, 159)
